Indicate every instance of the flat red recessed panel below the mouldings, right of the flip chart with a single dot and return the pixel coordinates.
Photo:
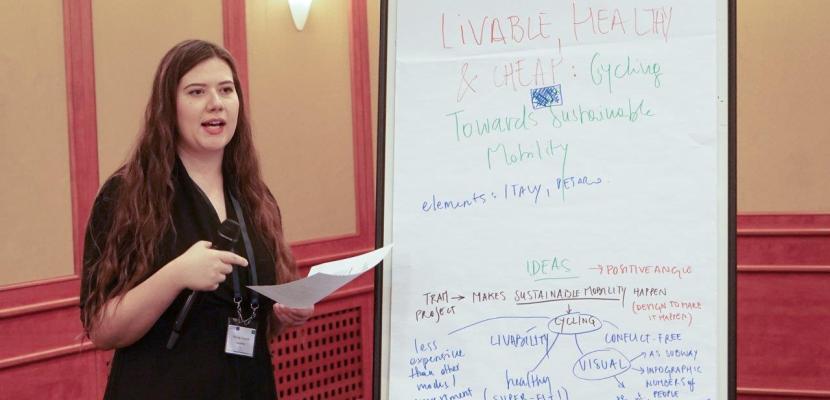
(783, 330)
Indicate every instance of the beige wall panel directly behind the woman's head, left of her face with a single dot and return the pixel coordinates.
(130, 38)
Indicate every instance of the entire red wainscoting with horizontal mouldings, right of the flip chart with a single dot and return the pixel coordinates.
(783, 293)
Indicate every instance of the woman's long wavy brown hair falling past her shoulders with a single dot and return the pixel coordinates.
(144, 197)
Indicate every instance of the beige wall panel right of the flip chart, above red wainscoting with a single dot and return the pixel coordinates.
(783, 133)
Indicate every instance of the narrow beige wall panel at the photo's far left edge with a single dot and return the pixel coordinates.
(36, 205)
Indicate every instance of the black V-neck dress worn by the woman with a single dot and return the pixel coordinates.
(197, 367)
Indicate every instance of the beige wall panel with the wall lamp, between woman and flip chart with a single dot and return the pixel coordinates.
(300, 92)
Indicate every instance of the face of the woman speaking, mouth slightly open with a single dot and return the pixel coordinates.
(207, 107)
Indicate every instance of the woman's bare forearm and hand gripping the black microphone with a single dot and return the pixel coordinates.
(125, 319)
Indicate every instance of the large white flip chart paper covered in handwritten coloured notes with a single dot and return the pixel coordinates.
(556, 189)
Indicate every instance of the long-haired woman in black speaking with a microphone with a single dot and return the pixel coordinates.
(148, 242)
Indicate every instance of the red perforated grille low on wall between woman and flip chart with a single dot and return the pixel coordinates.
(321, 360)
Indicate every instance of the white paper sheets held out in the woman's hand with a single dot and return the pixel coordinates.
(322, 280)
